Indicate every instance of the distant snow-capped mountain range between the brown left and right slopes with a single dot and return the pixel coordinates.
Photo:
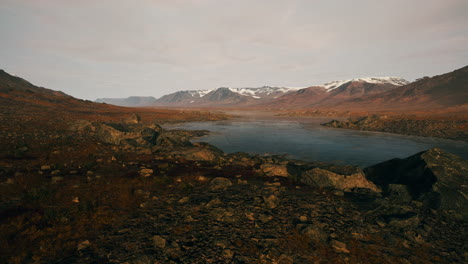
(267, 96)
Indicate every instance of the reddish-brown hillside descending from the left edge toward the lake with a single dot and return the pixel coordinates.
(21, 100)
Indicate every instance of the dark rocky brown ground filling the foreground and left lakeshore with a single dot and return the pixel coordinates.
(82, 182)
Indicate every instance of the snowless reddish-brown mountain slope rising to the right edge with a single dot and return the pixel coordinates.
(444, 91)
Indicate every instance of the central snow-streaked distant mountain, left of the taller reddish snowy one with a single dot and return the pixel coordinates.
(223, 97)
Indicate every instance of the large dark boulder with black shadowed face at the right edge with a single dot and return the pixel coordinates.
(435, 177)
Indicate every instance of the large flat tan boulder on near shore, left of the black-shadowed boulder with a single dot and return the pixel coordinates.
(327, 179)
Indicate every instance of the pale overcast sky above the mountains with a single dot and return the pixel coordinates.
(118, 48)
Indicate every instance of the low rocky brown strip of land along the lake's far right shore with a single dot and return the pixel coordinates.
(450, 128)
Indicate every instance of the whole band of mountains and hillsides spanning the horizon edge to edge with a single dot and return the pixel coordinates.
(439, 93)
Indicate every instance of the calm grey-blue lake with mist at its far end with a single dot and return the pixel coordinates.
(305, 139)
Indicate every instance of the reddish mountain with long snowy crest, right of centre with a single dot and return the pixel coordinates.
(335, 92)
